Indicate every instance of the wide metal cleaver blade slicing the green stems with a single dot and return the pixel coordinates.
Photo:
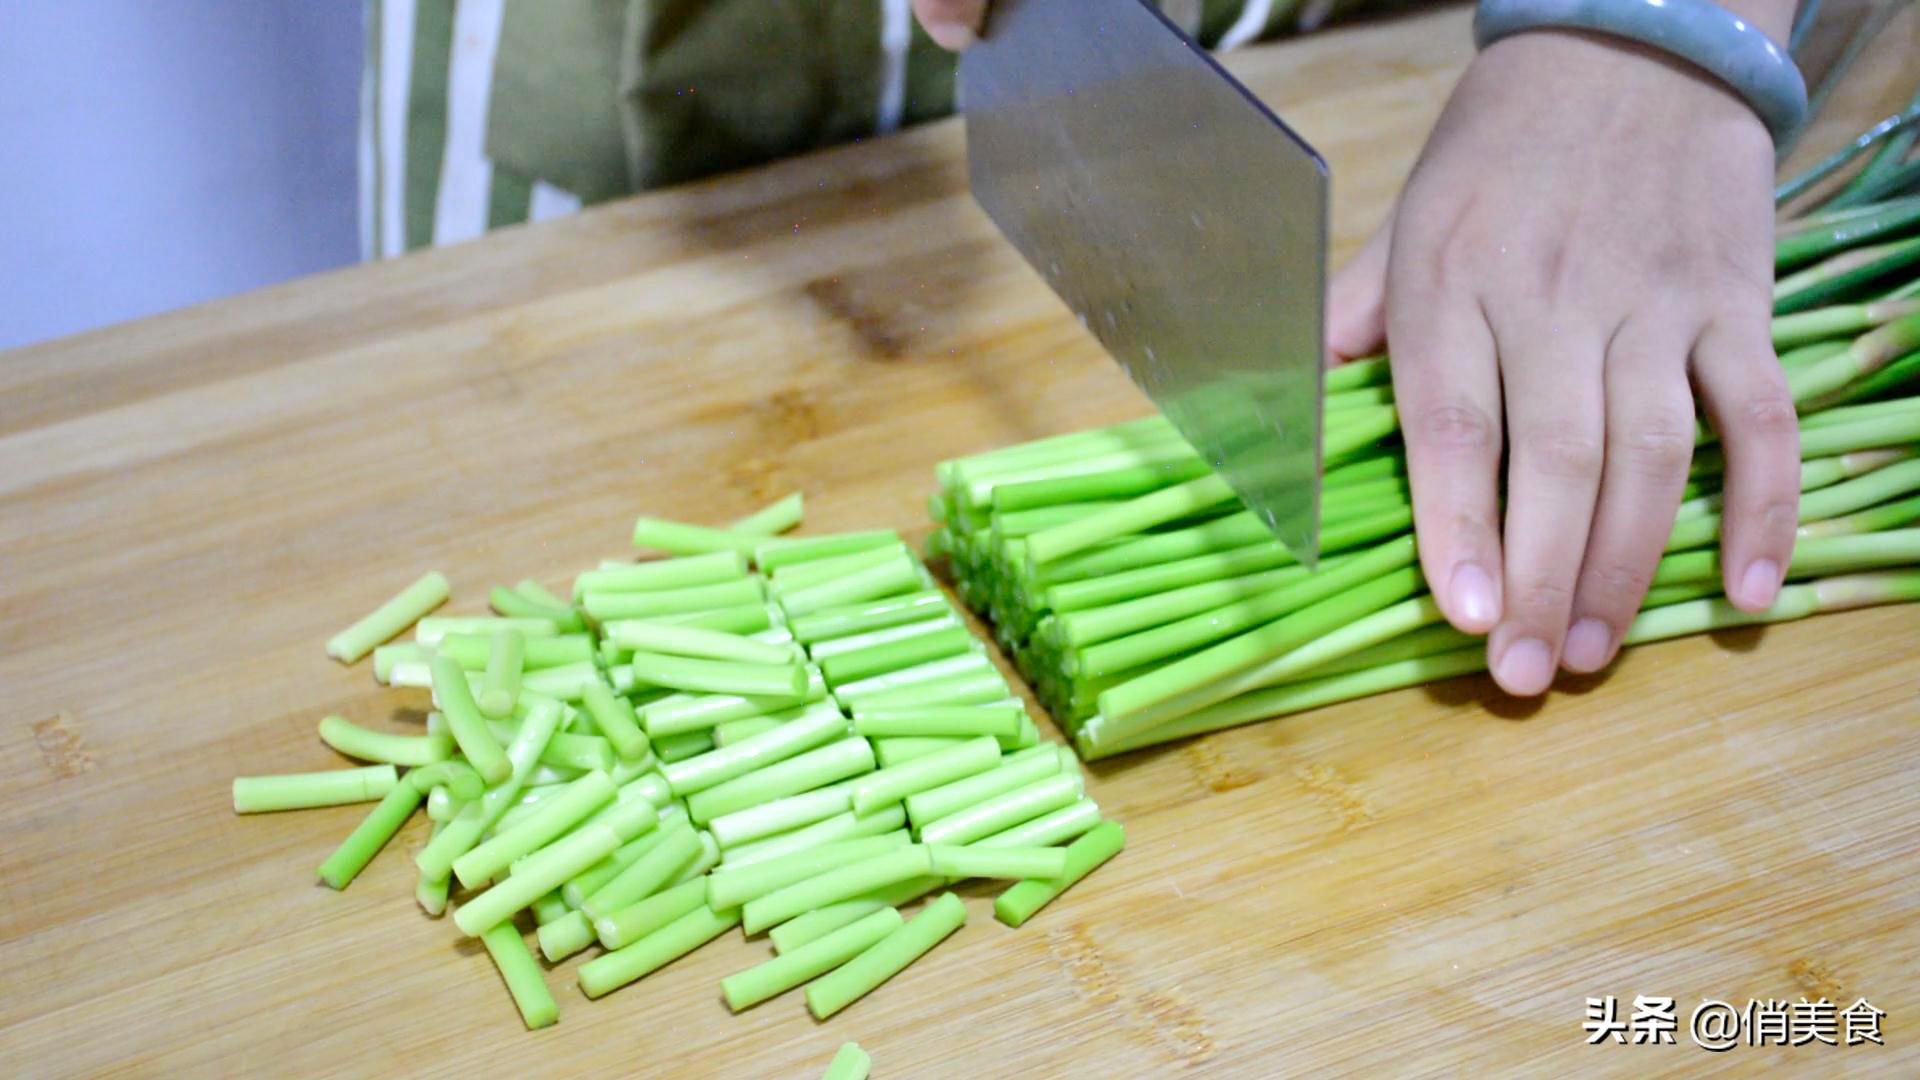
(1178, 218)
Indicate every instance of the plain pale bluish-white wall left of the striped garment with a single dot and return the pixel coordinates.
(164, 153)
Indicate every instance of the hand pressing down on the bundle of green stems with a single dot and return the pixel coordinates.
(1585, 245)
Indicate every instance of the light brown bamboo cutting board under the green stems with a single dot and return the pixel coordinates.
(1428, 883)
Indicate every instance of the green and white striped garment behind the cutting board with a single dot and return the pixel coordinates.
(598, 99)
